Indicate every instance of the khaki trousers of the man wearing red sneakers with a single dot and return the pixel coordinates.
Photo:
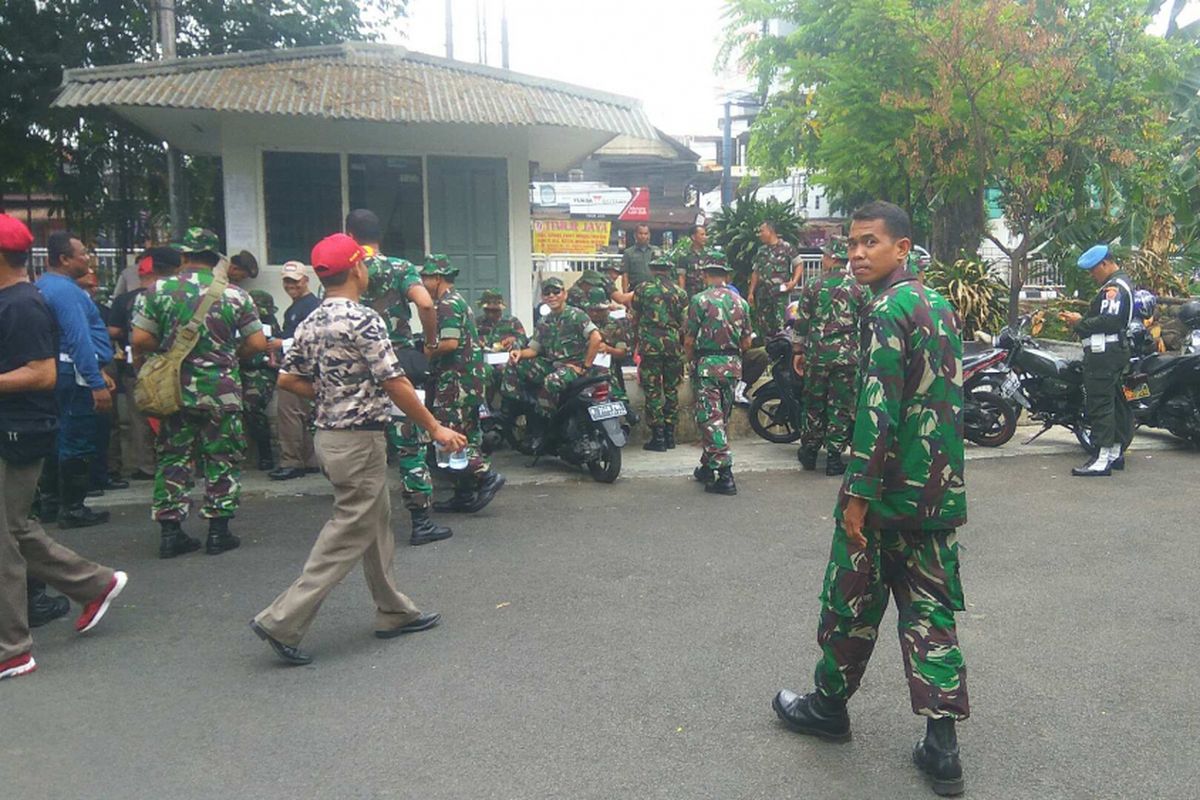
(27, 550)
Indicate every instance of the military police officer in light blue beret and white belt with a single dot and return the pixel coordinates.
(1106, 360)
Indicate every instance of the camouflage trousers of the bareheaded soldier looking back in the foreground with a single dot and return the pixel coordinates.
(921, 569)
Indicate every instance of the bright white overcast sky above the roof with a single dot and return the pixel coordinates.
(662, 52)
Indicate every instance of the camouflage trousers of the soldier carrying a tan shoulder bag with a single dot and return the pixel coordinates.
(217, 443)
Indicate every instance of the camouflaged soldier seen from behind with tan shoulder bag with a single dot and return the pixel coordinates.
(208, 430)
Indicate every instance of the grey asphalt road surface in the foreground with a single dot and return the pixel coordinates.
(626, 642)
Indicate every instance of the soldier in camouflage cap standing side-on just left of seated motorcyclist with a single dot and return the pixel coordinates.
(458, 368)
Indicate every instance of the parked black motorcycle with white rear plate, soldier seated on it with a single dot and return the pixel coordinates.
(586, 429)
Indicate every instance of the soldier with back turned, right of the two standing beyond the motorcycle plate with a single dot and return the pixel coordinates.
(716, 335)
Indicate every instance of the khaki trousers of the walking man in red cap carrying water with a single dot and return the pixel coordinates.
(361, 530)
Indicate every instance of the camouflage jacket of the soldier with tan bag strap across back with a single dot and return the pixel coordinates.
(211, 375)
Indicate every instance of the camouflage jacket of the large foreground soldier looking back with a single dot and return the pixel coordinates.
(907, 455)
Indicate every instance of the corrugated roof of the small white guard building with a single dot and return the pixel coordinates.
(368, 82)
